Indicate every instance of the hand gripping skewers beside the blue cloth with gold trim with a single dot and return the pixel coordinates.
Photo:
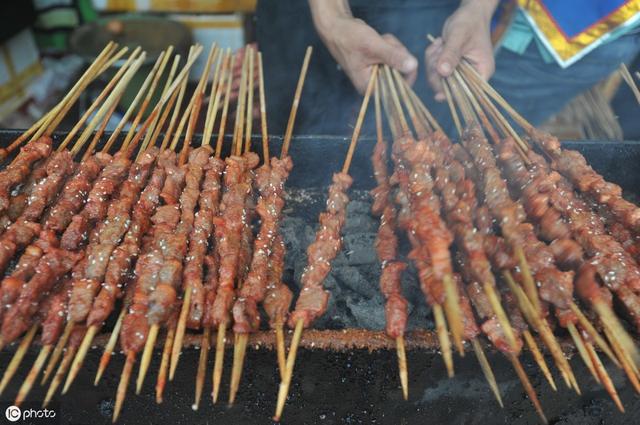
(466, 34)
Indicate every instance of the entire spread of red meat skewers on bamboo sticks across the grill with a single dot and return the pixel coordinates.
(506, 242)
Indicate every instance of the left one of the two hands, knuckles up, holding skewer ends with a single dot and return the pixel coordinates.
(357, 47)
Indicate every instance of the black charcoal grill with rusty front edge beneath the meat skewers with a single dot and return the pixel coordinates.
(346, 374)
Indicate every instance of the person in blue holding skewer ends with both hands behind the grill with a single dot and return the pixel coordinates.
(539, 54)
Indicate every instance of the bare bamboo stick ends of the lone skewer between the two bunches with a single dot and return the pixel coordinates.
(295, 341)
